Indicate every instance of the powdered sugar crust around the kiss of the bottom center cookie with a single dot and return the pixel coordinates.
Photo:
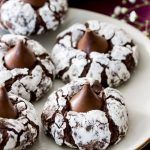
(87, 130)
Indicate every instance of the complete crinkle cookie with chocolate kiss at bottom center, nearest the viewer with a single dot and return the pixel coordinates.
(84, 115)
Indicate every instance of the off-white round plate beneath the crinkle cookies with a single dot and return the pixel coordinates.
(136, 91)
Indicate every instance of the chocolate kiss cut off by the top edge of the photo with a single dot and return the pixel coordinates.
(35, 3)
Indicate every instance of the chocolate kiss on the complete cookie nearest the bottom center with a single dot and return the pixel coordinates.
(85, 100)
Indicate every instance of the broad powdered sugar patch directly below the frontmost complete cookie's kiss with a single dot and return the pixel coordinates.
(87, 128)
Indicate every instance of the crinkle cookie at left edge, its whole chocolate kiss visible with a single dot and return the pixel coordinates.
(26, 68)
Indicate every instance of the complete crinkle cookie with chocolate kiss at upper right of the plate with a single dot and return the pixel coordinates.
(98, 50)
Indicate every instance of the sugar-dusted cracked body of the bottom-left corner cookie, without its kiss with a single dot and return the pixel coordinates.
(21, 132)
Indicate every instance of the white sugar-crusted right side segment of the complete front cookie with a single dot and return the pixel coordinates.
(117, 110)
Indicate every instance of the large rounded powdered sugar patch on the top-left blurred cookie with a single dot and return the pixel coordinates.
(22, 20)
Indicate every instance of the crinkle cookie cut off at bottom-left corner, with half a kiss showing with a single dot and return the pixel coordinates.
(19, 126)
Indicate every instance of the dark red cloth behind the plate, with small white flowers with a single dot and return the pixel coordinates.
(137, 11)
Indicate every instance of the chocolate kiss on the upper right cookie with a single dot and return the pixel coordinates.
(91, 42)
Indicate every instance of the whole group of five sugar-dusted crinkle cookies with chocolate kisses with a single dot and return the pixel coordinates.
(94, 58)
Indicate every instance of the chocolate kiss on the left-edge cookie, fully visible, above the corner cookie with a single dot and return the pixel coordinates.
(19, 57)
